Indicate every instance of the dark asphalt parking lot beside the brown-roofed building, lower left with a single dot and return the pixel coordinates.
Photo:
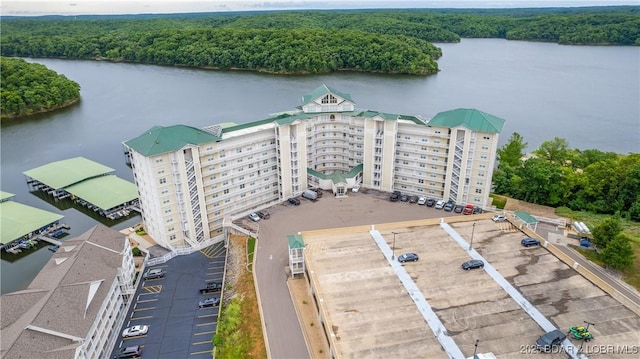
(177, 327)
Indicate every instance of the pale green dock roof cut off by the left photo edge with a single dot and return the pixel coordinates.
(17, 219)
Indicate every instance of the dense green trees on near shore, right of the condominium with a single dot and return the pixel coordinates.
(558, 176)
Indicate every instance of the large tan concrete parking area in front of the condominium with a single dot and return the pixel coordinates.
(469, 303)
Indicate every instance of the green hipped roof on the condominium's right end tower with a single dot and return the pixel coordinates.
(470, 118)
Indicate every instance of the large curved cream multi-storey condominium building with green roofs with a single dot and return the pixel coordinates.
(189, 179)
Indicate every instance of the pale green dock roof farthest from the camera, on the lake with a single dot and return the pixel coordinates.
(61, 174)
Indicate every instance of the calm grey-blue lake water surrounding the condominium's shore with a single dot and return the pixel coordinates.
(587, 95)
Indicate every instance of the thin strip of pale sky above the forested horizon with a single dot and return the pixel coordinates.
(105, 7)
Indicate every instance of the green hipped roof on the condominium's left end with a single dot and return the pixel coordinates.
(159, 140)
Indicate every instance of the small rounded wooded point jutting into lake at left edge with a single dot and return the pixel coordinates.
(29, 88)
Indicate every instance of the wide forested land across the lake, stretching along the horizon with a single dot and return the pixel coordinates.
(300, 42)
